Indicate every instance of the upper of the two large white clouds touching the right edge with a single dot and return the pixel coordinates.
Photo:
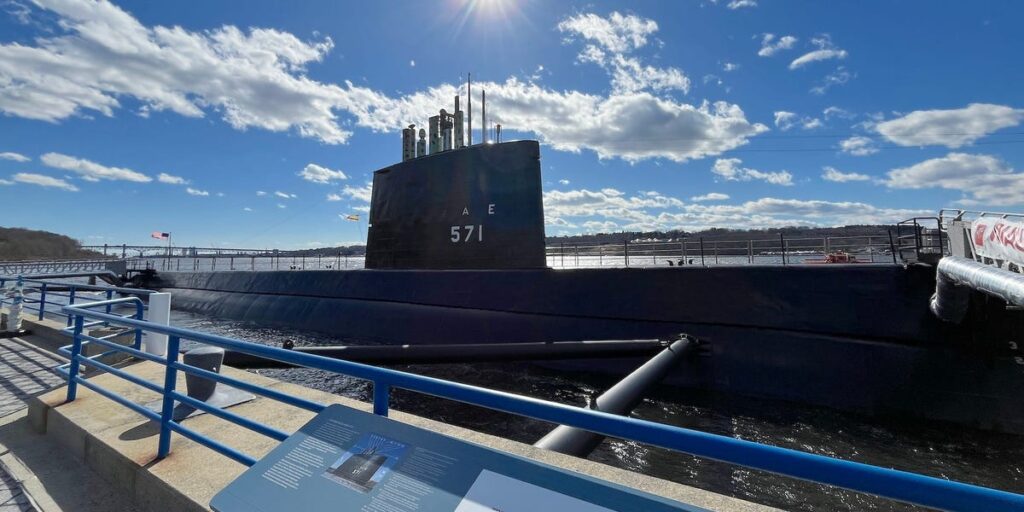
(952, 129)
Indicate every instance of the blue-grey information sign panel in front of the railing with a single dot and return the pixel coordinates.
(347, 459)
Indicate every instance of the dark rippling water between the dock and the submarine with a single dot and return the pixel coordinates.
(975, 457)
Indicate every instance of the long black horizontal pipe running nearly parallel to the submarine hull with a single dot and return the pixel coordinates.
(419, 355)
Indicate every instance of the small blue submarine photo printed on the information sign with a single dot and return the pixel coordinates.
(367, 463)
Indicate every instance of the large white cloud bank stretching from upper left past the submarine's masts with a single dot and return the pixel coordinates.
(257, 79)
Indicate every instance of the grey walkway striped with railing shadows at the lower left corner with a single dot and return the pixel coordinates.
(37, 475)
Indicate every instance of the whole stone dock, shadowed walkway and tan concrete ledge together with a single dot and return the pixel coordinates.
(96, 455)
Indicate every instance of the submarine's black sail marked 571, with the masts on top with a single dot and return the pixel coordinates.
(460, 207)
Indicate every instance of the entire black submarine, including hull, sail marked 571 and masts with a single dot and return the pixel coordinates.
(456, 257)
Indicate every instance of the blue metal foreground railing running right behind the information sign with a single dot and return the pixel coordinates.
(901, 486)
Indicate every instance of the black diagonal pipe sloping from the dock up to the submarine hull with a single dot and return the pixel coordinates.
(621, 400)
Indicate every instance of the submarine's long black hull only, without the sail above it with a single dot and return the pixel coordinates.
(852, 337)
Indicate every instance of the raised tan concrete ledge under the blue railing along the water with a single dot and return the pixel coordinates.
(121, 446)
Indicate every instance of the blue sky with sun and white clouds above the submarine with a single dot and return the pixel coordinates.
(262, 126)
